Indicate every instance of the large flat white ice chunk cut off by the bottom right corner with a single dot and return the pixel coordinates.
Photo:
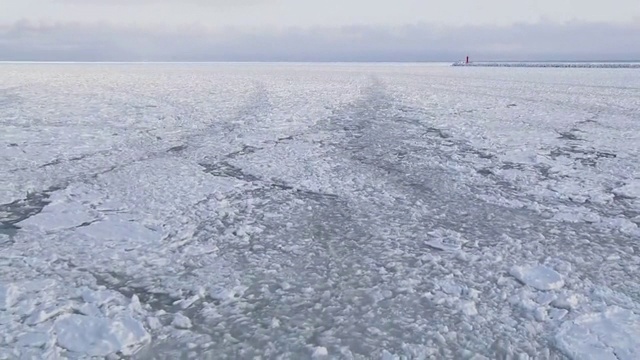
(609, 335)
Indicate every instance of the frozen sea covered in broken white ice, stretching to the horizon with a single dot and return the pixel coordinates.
(326, 211)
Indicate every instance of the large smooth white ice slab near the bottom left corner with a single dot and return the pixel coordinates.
(95, 336)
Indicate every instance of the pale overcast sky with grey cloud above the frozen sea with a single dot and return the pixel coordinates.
(314, 30)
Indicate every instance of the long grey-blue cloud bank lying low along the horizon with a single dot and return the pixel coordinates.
(420, 42)
